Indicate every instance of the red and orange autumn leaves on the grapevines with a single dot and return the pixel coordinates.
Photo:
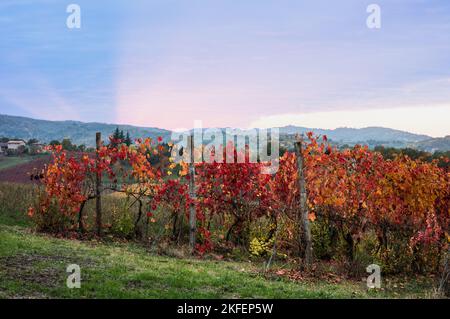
(355, 194)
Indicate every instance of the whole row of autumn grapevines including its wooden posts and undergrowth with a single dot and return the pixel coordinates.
(351, 207)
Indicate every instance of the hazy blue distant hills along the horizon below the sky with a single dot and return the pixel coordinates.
(84, 133)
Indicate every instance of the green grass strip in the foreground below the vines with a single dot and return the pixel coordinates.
(34, 266)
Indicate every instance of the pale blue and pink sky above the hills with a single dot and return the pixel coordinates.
(250, 63)
